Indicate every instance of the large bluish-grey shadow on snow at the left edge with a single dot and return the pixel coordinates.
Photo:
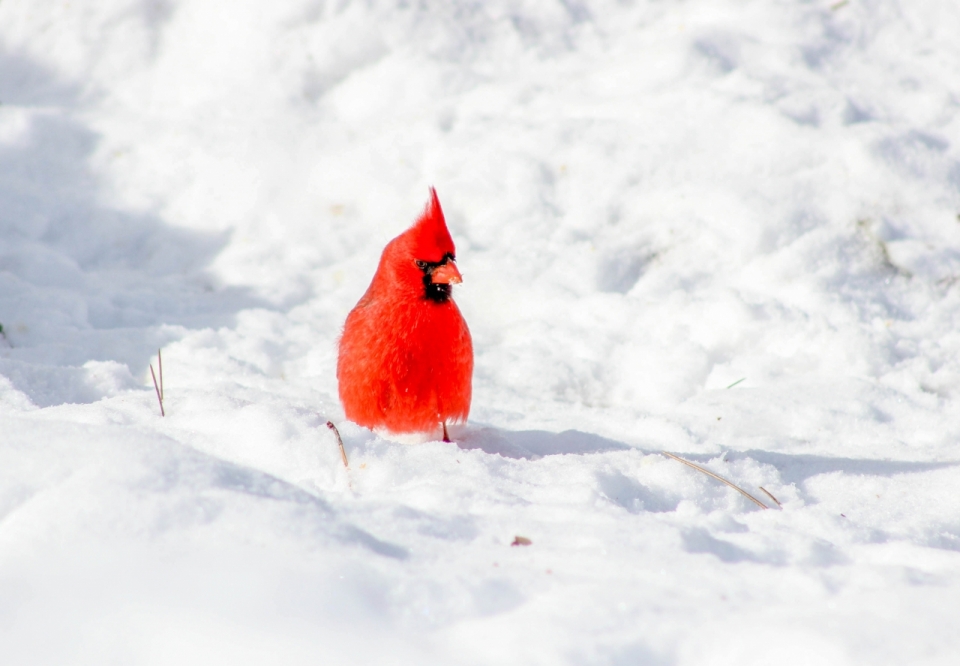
(81, 281)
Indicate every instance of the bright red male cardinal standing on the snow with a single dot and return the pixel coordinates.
(406, 357)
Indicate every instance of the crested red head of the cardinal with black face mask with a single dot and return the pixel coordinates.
(423, 258)
